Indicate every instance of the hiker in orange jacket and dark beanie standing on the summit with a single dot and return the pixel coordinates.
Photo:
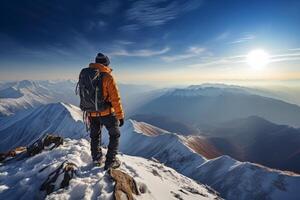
(101, 103)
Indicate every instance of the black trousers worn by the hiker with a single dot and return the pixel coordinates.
(112, 125)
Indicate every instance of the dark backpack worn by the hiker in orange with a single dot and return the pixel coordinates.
(91, 90)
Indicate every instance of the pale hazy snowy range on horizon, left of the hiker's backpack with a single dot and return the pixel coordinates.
(21, 95)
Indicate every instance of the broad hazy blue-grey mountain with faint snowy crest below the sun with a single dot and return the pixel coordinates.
(201, 106)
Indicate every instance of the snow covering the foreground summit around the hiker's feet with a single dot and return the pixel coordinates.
(22, 179)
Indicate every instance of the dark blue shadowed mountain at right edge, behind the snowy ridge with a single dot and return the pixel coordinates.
(258, 140)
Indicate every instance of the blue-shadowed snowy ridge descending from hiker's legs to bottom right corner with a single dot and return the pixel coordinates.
(233, 179)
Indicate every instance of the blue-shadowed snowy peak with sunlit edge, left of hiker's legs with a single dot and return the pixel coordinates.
(25, 127)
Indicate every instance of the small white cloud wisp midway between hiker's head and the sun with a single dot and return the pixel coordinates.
(190, 53)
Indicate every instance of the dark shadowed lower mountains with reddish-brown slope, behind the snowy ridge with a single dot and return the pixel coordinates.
(247, 139)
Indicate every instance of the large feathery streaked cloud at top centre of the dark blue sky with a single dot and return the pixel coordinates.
(158, 12)
